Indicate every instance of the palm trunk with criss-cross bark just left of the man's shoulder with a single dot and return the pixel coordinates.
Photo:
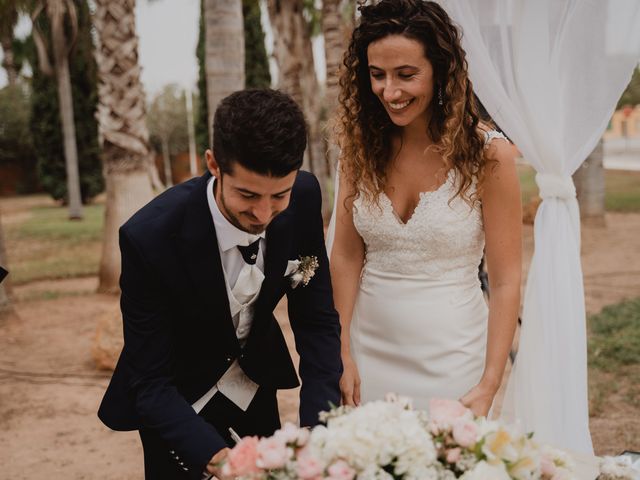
(123, 129)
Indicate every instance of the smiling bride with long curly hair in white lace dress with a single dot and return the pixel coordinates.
(424, 189)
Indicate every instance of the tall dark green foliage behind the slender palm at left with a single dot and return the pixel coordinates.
(45, 116)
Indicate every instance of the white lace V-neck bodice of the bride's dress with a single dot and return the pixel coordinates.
(442, 238)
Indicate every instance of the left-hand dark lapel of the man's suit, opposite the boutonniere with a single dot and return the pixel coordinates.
(198, 246)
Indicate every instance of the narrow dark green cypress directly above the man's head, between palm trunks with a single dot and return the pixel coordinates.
(256, 63)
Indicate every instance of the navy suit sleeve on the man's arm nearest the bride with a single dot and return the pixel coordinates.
(313, 317)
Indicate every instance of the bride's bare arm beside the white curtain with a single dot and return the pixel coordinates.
(502, 215)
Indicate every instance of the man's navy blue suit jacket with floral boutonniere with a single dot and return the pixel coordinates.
(179, 338)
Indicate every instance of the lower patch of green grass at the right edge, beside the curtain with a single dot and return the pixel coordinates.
(614, 340)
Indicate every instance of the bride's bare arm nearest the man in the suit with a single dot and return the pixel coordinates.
(347, 259)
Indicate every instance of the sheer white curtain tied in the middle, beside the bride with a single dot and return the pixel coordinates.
(550, 72)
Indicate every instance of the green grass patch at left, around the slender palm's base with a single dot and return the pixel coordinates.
(47, 245)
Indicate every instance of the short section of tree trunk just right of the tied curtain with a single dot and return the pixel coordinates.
(590, 188)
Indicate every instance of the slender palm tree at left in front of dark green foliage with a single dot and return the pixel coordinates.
(60, 12)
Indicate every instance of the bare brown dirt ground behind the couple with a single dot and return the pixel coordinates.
(50, 389)
